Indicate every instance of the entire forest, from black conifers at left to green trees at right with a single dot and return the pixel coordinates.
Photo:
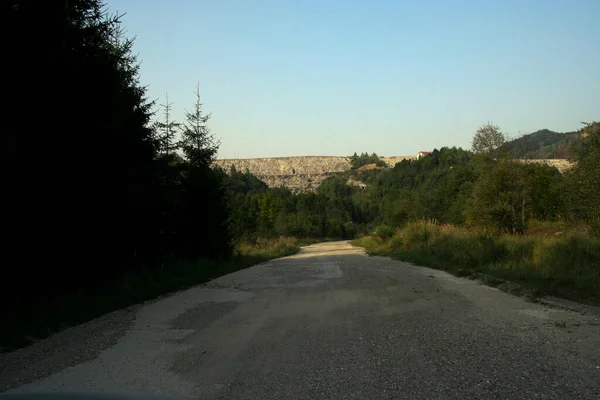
(102, 183)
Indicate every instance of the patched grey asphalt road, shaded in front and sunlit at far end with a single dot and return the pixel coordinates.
(327, 323)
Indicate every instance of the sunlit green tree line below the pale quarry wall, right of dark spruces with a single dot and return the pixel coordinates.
(484, 187)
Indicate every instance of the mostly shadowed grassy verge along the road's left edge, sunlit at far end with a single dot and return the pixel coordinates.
(23, 326)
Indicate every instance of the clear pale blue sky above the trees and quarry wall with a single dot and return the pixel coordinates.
(321, 77)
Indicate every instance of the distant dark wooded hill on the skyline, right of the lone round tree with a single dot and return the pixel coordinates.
(543, 144)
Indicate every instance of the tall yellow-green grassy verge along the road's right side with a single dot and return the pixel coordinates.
(566, 266)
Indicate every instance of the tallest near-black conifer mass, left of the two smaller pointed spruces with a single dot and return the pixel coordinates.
(78, 153)
